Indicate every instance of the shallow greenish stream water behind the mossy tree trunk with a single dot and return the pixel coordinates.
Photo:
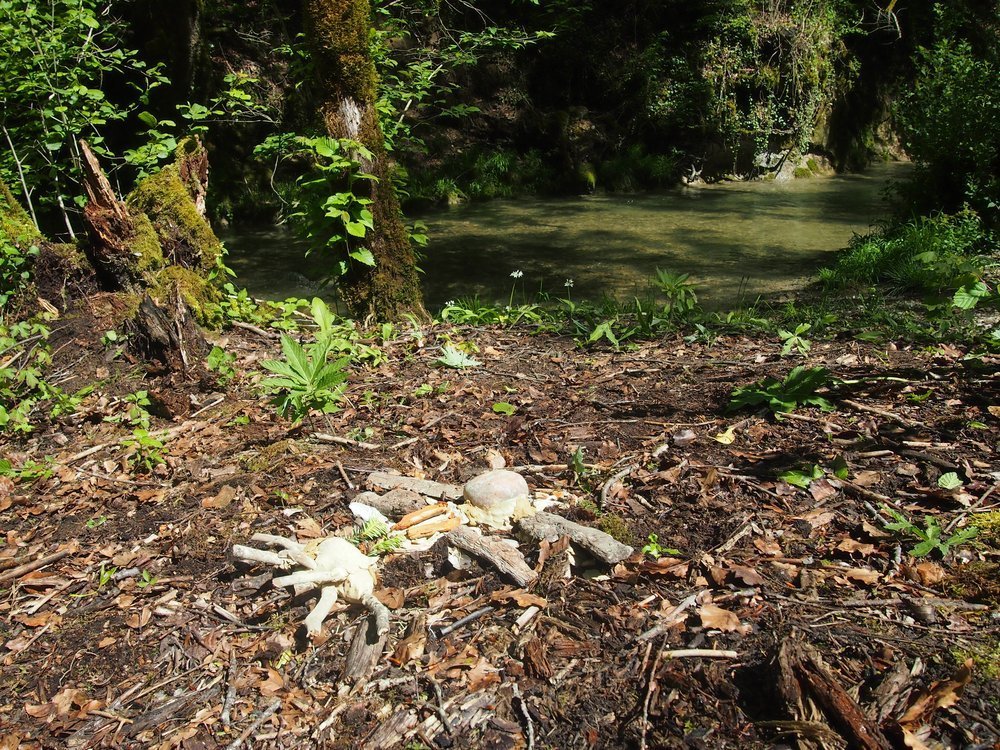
(737, 240)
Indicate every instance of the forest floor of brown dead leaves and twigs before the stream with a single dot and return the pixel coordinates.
(126, 624)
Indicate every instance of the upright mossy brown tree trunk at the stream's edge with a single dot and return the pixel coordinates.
(339, 32)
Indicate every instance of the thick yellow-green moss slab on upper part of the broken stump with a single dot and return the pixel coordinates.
(184, 235)
